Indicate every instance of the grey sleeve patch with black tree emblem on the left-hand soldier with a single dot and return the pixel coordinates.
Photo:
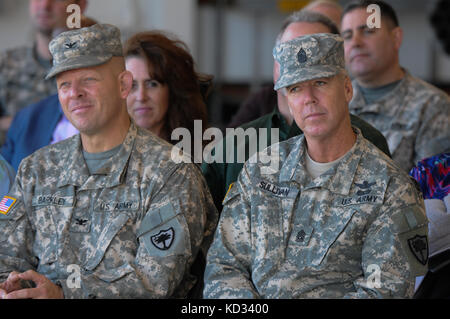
(164, 232)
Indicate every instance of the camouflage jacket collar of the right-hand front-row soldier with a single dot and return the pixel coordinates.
(338, 179)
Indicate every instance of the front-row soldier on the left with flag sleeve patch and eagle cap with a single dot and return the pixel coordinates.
(126, 224)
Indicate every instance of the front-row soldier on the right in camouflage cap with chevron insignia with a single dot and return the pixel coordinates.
(357, 229)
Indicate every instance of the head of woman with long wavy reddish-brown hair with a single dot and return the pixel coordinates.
(167, 91)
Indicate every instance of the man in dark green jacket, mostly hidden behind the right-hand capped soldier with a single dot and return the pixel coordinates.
(220, 175)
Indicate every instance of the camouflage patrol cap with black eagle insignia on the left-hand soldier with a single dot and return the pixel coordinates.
(84, 47)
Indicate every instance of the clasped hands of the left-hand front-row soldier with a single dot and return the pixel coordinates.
(45, 289)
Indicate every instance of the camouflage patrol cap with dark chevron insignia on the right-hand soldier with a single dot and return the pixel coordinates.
(309, 57)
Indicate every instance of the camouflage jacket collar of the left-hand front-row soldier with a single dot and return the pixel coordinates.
(111, 174)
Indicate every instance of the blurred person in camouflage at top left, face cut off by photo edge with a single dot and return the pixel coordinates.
(23, 69)
